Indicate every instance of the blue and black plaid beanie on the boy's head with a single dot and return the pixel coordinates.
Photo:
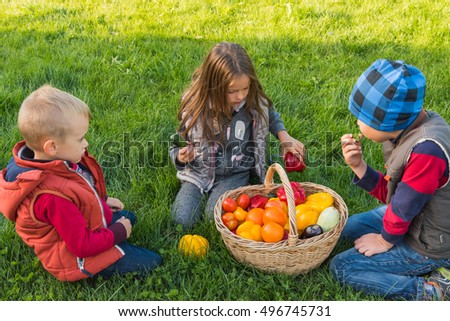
(388, 96)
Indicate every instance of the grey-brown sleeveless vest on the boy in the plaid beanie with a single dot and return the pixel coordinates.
(429, 232)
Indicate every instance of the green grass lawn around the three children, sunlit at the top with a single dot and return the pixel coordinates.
(131, 60)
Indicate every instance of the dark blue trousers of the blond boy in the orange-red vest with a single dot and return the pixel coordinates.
(136, 259)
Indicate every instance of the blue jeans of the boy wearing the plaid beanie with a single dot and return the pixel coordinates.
(395, 274)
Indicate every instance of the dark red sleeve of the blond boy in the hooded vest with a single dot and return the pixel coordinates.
(71, 226)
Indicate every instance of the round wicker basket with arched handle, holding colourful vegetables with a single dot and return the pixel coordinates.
(292, 256)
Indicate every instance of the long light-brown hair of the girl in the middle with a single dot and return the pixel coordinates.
(206, 101)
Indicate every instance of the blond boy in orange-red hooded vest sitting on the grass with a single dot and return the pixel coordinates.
(54, 191)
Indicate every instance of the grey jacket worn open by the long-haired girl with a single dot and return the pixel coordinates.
(201, 171)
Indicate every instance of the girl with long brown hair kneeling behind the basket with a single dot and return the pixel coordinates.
(225, 117)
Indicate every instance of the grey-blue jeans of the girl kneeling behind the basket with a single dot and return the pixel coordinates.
(188, 205)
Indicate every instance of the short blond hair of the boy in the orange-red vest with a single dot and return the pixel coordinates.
(46, 113)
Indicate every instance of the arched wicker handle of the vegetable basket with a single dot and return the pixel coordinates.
(268, 183)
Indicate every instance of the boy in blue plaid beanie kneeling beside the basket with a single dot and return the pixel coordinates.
(399, 243)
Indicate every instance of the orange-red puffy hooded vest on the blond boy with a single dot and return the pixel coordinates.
(56, 177)
